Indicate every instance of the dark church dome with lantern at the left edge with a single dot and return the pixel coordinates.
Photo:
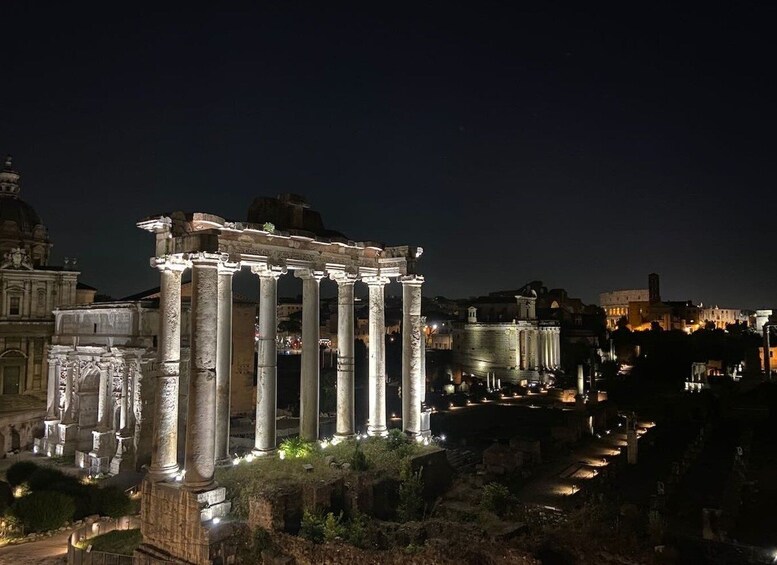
(20, 226)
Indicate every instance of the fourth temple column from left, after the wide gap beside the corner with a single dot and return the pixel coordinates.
(267, 362)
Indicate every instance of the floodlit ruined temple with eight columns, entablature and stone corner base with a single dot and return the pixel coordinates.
(181, 504)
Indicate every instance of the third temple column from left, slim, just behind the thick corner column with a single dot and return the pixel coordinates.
(224, 359)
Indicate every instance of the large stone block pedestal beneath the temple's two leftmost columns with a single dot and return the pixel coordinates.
(177, 525)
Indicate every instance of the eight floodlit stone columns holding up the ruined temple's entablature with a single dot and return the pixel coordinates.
(207, 431)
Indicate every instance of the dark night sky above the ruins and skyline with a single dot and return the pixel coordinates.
(584, 147)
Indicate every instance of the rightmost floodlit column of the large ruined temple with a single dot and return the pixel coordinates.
(412, 385)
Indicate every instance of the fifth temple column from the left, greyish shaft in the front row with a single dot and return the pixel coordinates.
(309, 379)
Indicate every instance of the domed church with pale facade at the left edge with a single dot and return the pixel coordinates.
(30, 289)
